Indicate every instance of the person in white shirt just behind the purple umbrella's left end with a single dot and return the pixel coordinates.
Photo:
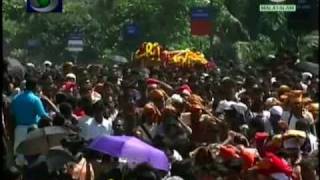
(97, 125)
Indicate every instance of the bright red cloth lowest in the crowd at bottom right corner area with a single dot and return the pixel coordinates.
(274, 164)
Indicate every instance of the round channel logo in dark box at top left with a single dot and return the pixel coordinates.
(44, 6)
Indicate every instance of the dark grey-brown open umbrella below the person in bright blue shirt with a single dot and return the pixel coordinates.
(41, 140)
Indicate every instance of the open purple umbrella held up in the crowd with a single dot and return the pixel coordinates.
(132, 149)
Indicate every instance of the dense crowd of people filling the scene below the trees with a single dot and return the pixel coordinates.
(226, 123)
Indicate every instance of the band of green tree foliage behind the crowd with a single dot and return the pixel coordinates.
(240, 30)
